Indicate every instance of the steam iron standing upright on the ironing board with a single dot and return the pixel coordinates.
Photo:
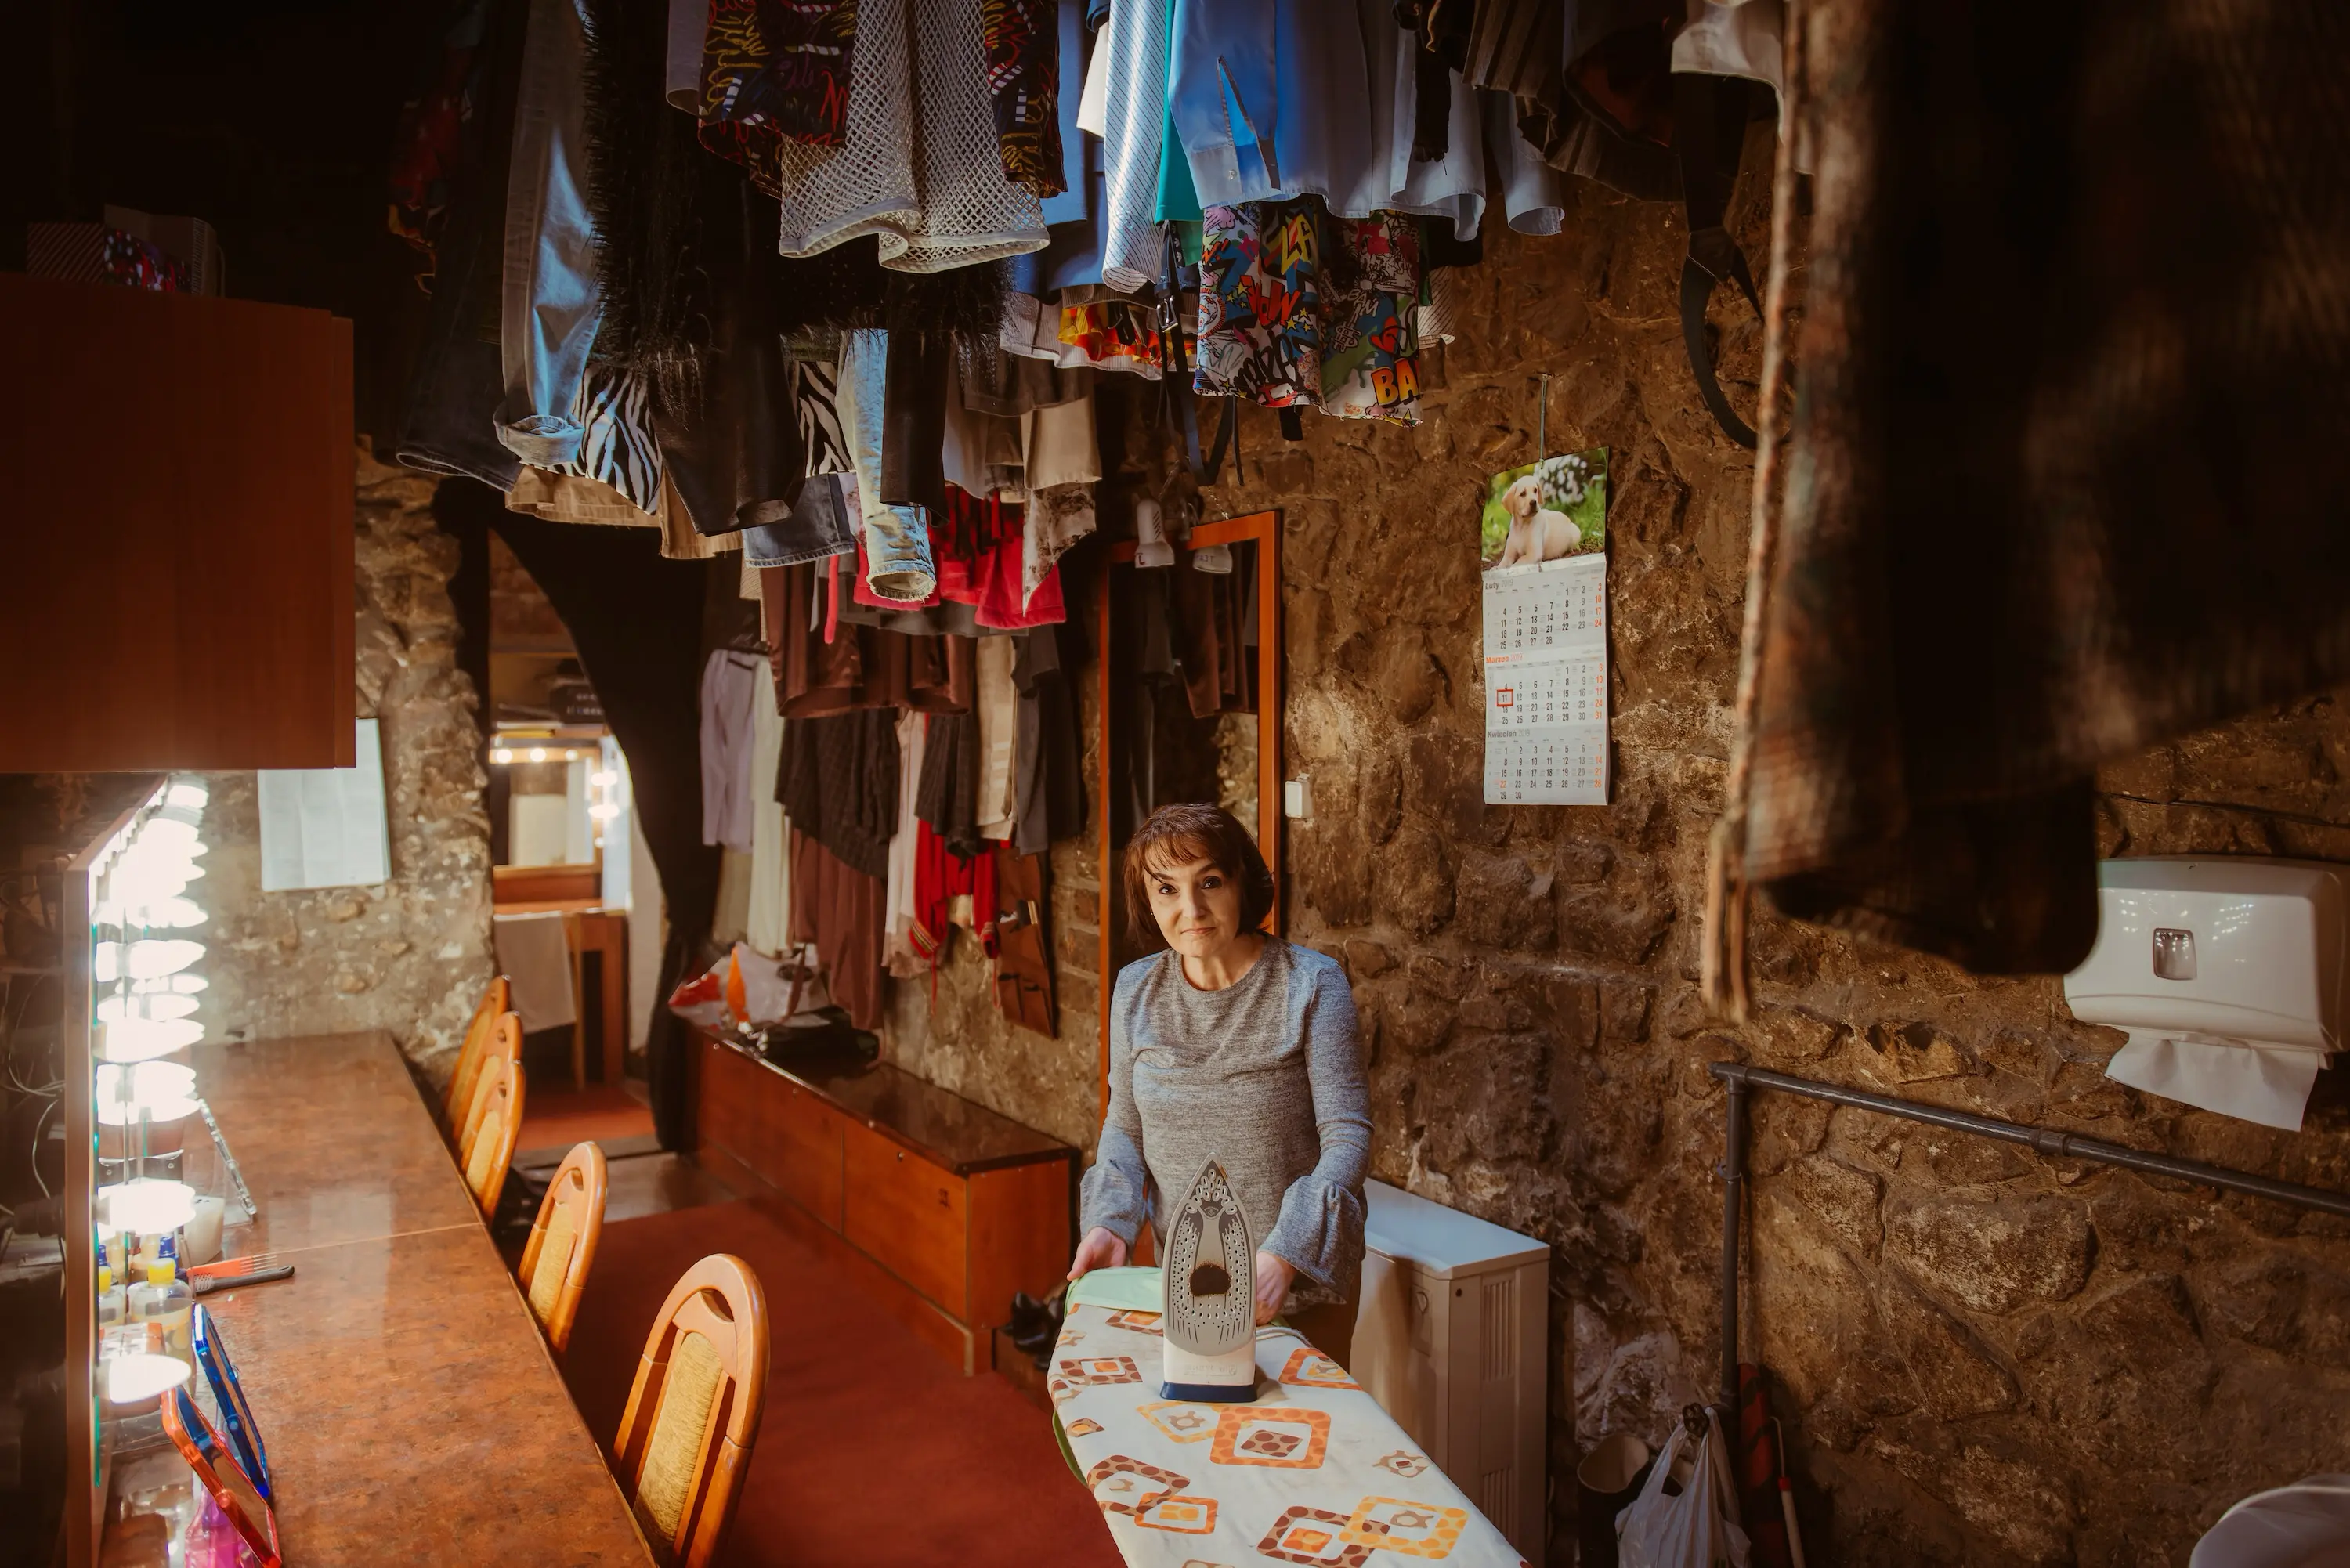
(1211, 1304)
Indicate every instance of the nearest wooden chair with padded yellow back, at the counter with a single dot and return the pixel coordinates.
(694, 1412)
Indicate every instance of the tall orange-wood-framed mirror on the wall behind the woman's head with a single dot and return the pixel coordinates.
(1190, 702)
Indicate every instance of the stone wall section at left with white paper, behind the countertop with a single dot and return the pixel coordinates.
(410, 956)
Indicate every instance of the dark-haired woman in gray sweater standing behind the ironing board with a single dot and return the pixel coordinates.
(1240, 1047)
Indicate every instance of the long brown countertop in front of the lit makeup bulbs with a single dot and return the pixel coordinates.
(408, 1400)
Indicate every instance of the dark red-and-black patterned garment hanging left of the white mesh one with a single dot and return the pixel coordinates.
(772, 74)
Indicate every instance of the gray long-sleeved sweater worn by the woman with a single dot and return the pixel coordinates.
(1263, 1076)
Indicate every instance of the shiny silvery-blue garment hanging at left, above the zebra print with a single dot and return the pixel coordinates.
(551, 304)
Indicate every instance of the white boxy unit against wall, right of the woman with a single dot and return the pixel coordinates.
(1451, 1339)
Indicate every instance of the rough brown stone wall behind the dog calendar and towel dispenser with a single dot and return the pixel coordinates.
(1982, 1358)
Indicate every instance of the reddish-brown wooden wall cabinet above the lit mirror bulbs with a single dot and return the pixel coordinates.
(180, 532)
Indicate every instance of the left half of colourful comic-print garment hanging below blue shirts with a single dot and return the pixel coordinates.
(1261, 319)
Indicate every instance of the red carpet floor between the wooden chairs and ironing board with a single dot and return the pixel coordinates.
(873, 1452)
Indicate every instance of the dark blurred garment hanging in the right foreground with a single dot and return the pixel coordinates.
(2032, 337)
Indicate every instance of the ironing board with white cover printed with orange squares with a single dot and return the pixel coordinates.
(1312, 1473)
